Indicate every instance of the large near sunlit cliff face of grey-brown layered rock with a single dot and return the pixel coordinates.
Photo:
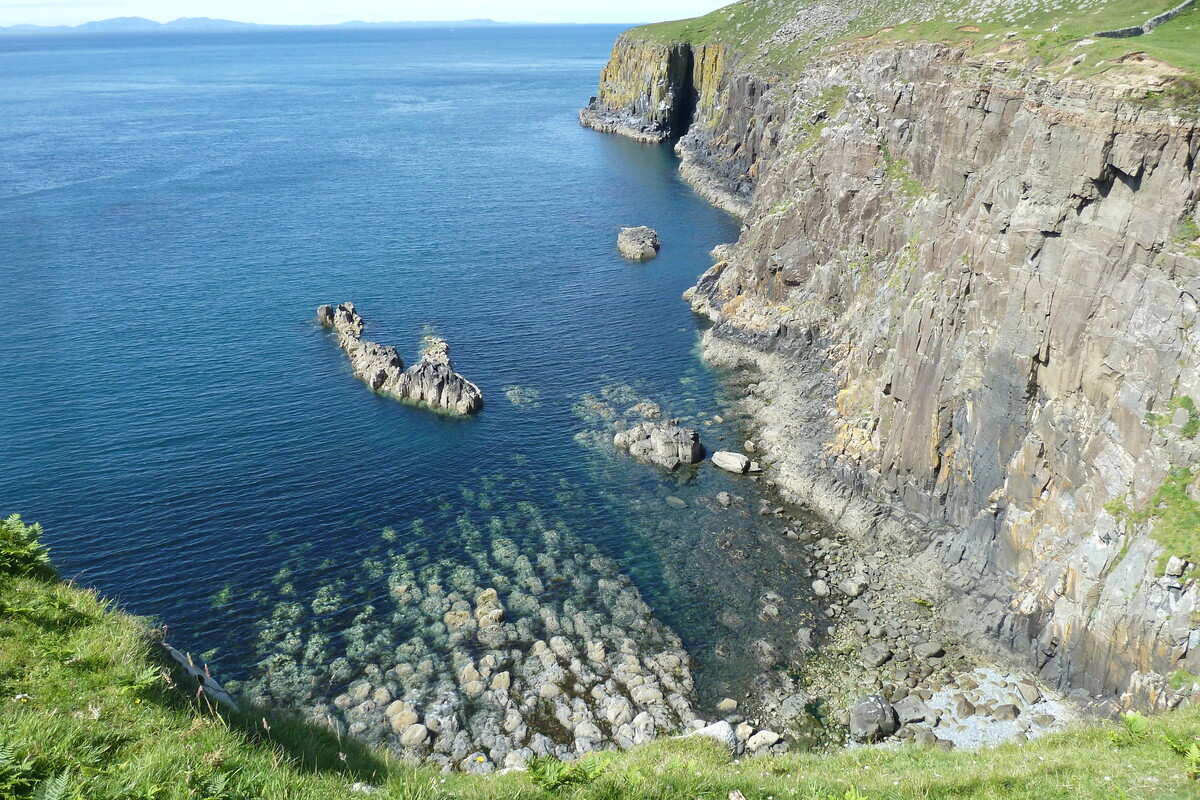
(974, 309)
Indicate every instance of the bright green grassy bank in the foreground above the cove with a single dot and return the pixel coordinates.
(89, 708)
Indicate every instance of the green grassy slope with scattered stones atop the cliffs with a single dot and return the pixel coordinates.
(783, 35)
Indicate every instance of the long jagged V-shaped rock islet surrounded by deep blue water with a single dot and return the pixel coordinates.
(431, 382)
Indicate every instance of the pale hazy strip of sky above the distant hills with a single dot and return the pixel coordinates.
(71, 13)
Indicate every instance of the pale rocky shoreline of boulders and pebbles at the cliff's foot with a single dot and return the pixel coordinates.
(884, 640)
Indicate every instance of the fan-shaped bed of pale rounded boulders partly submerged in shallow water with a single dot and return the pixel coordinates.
(536, 645)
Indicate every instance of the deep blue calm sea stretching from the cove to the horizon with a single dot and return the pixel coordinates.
(175, 208)
